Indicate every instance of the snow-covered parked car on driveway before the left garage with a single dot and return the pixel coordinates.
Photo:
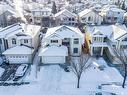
(21, 70)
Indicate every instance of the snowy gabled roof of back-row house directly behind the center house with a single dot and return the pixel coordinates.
(65, 12)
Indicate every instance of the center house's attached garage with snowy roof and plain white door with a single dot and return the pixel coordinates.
(54, 55)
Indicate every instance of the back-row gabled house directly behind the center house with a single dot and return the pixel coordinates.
(65, 17)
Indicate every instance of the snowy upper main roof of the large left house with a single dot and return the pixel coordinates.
(30, 30)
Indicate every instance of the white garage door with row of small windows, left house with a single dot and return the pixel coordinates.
(18, 60)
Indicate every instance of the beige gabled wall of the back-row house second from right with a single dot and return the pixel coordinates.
(95, 19)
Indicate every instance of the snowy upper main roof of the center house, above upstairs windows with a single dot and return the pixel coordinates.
(64, 32)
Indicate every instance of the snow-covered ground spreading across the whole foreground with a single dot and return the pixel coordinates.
(53, 80)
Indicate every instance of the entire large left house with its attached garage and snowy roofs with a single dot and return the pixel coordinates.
(19, 42)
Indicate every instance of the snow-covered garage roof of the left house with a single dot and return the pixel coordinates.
(18, 50)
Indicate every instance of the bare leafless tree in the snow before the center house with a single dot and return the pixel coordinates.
(79, 65)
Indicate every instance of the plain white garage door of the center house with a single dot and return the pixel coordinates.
(53, 59)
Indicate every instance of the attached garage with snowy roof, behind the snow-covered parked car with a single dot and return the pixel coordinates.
(19, 55)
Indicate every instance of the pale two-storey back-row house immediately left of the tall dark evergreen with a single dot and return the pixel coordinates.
(42, 16)
